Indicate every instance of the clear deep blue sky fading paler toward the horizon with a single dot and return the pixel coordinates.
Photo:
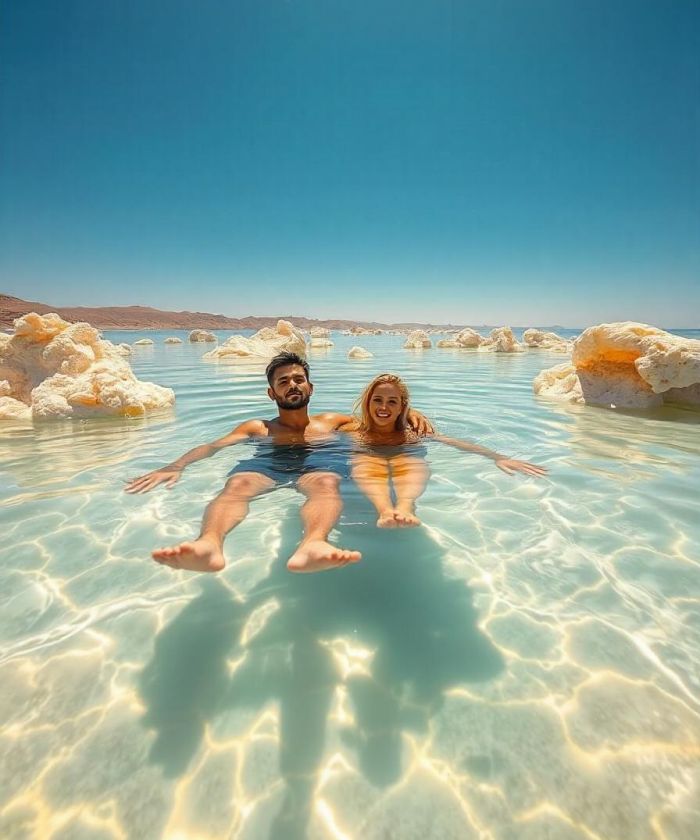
(483, 161)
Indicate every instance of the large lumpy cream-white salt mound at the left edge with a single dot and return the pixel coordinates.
(52, 369)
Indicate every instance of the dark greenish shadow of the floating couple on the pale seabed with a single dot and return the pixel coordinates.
(418, 626)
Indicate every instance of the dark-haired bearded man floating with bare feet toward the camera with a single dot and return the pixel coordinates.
(296, 456)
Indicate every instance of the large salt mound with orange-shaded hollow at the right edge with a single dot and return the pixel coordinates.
(626, 365)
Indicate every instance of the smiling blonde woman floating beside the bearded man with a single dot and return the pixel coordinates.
(389, 454)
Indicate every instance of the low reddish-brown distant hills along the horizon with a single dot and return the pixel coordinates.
(146, 318)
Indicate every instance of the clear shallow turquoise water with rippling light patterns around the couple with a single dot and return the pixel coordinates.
(522, 667)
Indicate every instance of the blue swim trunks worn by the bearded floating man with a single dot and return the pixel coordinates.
(285, 464)
